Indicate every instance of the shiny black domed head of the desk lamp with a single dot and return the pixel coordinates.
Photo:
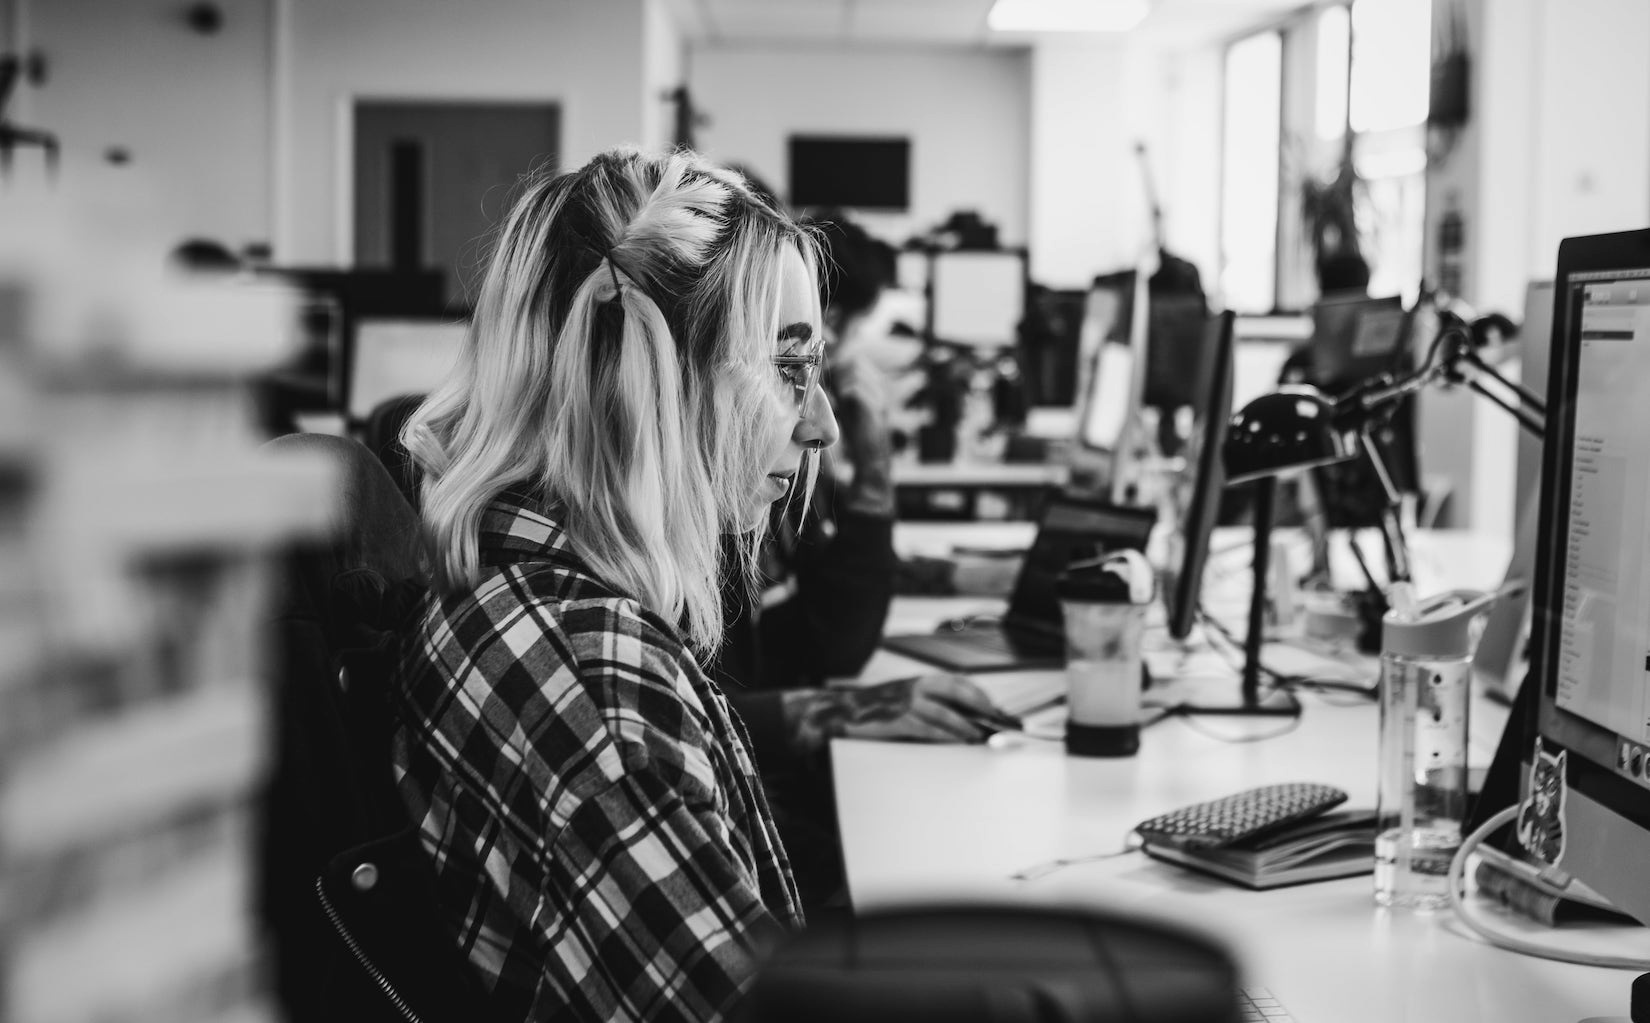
(1283, 433)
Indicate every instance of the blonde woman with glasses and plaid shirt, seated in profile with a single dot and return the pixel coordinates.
(641, 379)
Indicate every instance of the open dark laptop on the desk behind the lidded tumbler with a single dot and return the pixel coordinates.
(1032, 633)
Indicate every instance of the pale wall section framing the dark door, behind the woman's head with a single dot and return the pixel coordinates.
(583, 55)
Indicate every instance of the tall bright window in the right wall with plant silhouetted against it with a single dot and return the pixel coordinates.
(1355, 67)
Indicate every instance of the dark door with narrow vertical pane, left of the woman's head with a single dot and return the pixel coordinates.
(433, 179)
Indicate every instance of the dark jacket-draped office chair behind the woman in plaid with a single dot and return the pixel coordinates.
(346, 890)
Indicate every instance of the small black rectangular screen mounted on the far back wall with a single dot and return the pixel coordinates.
(859, 174)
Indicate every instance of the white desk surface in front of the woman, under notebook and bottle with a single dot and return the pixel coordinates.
(956, 823)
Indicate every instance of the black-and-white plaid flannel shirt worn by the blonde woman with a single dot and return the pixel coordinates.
(600, 834)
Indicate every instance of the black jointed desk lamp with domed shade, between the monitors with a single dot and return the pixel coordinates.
(1298, 428)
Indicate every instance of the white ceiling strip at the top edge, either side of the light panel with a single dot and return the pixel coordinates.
(936, 22)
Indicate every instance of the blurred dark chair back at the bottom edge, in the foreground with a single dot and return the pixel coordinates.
(996, 964)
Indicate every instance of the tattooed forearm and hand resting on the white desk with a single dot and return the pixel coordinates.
(928, 709)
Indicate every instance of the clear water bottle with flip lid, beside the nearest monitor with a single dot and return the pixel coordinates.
(1426, 687)
